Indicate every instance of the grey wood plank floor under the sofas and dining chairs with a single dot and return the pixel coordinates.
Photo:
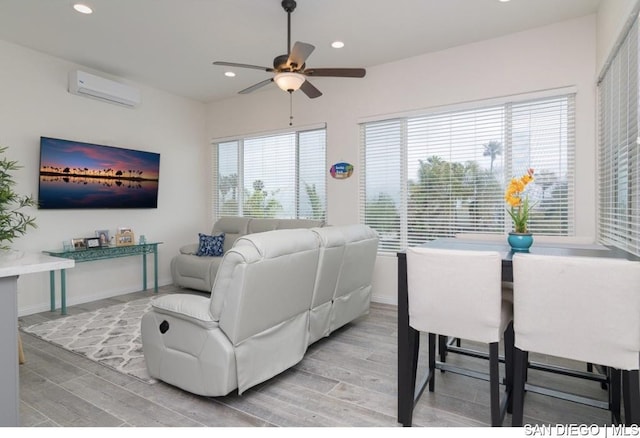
(348, 379)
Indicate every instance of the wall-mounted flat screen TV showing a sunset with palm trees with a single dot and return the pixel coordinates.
(75, 175)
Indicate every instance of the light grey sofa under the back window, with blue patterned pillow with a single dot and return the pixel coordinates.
(199, 272)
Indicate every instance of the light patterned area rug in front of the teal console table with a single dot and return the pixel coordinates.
(109, 336)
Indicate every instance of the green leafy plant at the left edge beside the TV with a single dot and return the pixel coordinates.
(13, 222)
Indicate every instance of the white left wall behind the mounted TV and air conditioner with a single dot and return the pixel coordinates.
(35, 103)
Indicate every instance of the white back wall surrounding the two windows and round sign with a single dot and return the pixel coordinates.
(554, 56)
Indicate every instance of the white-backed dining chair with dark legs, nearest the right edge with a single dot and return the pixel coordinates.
(584, 309)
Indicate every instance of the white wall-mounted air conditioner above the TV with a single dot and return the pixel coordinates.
(86, 84)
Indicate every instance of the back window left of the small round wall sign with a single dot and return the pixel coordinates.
(276, 176)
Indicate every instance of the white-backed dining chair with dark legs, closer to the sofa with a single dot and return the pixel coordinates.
(458, 293)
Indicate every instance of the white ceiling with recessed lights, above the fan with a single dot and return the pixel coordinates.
(170, 44)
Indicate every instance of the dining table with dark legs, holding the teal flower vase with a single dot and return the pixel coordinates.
(408, 337)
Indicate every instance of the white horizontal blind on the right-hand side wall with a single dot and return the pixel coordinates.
(618, 171)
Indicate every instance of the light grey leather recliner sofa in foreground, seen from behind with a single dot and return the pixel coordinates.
(275, 293)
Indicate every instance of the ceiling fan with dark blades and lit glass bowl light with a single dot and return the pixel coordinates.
(290, 69)
